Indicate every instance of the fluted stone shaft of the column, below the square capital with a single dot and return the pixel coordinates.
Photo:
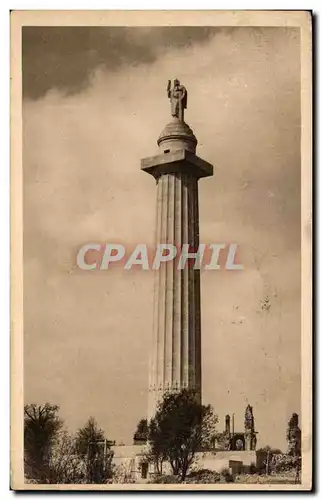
(176, 344)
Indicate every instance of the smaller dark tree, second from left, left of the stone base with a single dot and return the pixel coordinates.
(95, 450)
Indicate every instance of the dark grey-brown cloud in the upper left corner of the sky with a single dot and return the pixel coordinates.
(66, 57)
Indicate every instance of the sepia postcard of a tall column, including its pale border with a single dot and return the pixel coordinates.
(161, 250)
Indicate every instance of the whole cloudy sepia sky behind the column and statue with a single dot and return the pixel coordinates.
(94, 104)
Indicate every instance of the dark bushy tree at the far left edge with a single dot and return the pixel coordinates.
(41, 431)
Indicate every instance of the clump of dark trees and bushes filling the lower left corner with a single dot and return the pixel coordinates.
(53, 456)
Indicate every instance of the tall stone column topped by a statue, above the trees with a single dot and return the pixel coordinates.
(176, 343)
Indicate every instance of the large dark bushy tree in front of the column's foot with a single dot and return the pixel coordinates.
(180, 428)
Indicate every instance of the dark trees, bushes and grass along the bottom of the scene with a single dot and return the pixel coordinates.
(181, 428)
